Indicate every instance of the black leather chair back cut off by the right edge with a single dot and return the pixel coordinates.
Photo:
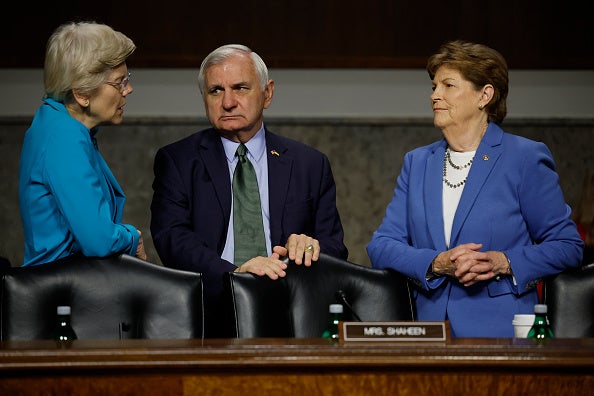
(570, 300)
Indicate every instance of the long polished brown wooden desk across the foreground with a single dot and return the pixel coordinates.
(297, 367)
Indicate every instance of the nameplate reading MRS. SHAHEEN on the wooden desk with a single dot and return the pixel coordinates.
(433, 331)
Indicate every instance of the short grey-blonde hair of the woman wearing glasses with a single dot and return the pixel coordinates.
(80, 56)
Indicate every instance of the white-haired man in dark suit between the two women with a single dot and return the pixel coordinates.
(192, 209)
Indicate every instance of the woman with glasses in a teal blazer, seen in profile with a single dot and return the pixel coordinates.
(69, 199)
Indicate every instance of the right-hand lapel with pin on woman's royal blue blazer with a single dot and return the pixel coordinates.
(487, 155)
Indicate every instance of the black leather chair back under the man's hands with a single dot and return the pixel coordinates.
(297, 305)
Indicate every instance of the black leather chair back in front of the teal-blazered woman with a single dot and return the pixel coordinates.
(114, 297)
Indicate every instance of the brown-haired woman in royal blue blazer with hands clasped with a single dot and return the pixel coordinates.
(477, 218)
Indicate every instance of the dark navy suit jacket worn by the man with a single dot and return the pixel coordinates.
(192, 198)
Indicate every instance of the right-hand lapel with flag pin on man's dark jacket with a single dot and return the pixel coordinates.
(279, 177)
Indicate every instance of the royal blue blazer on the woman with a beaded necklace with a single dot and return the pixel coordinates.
(512, 202)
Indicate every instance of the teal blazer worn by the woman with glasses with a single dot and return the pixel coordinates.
(70, 201)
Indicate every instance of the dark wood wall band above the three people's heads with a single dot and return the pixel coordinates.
(315, 33)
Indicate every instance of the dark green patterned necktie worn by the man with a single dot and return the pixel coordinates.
(247, 211)
